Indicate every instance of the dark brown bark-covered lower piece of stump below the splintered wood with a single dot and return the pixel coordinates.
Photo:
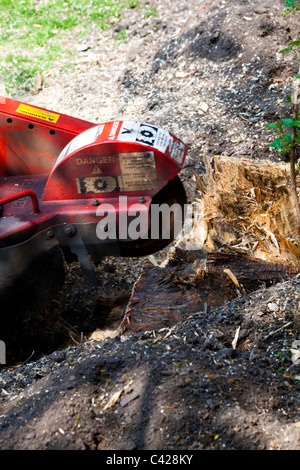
(163, 296)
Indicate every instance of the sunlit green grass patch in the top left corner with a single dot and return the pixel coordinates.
(32, 34)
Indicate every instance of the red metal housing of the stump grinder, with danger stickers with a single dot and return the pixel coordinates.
(65, 164)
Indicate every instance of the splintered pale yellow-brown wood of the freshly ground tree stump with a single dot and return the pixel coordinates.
(248, 209)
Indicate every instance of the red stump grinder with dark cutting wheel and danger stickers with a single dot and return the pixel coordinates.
(60, 177)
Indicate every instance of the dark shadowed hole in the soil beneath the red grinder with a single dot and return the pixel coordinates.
(70, 318)
